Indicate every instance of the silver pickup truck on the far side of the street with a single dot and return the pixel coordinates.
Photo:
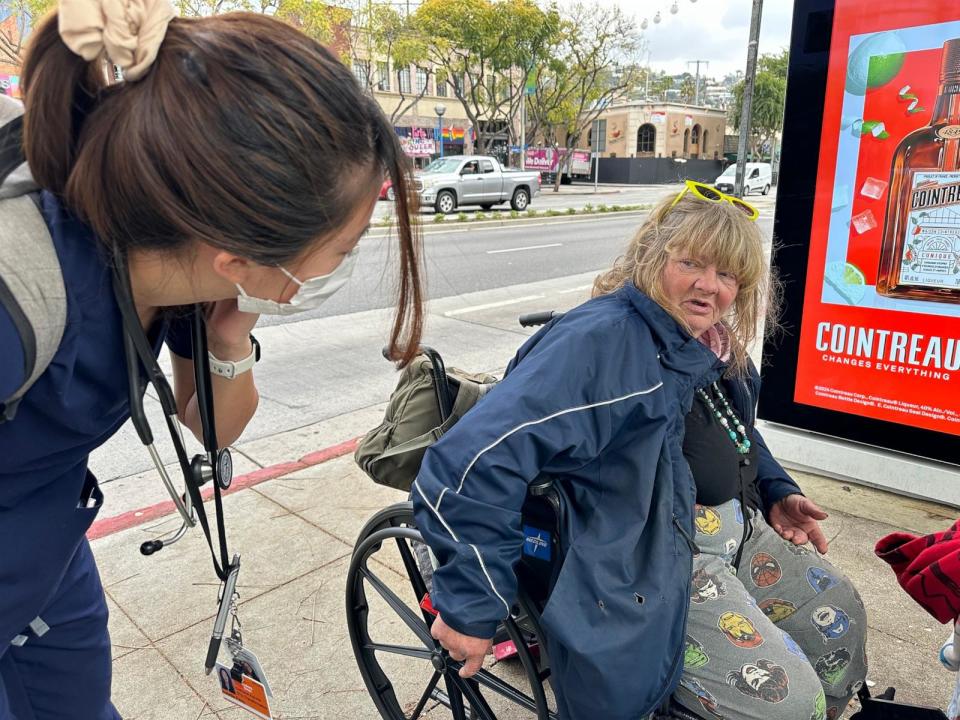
(450, 182)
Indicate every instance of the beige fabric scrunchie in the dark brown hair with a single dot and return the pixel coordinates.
(129, 30)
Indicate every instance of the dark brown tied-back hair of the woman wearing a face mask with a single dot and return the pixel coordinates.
(245, 134)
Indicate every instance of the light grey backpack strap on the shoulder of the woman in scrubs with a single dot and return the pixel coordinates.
(31, 282)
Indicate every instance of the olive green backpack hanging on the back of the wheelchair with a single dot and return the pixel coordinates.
(419, 412)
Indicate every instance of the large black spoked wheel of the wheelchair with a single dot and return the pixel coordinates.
(407, 673)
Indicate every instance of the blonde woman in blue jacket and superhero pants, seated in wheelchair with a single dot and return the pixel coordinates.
(640, 403)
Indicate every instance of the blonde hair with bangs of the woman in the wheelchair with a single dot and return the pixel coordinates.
(712, 232)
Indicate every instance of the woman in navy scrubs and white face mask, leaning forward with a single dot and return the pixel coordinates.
(236, 164)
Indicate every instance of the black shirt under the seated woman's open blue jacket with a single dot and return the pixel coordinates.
(718, 469)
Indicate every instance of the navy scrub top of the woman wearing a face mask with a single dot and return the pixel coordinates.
(81, 399)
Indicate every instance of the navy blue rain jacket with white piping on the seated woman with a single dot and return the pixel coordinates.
(596, 400)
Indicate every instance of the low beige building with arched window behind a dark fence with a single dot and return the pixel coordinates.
(661, 129)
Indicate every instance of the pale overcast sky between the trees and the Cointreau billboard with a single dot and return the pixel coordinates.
(714, 30)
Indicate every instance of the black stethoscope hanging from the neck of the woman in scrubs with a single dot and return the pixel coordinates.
(213, 464)
